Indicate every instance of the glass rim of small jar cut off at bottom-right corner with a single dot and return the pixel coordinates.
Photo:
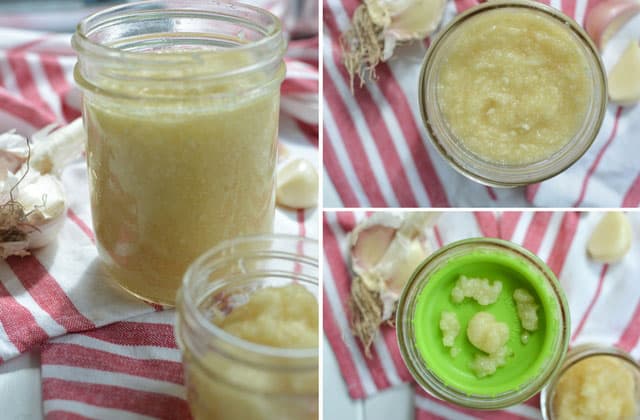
(581, 353)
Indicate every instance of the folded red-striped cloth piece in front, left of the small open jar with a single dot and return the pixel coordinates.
(130, 369)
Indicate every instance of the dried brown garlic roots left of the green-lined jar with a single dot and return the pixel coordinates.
(366, 313)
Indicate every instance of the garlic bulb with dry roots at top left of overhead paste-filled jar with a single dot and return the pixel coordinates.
(379, 25)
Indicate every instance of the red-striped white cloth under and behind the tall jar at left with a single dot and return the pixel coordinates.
(61, 288)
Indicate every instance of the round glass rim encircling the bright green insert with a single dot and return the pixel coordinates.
(428, 379)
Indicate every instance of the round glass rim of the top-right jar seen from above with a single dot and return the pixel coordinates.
(502, 175)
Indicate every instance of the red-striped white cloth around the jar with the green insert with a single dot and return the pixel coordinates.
(604, 300)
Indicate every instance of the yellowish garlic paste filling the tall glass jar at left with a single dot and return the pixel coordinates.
(179, 168)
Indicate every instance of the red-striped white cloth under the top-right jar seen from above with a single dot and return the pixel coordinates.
(378, 154)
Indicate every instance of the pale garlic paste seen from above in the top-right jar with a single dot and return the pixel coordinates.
(514, 86)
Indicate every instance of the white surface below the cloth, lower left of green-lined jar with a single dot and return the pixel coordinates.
(395, 403)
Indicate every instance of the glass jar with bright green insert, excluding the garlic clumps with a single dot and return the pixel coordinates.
(449, 378)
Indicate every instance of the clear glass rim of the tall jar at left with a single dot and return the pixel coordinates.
(84, 45)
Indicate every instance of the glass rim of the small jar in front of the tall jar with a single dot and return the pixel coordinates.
(186, 300)
